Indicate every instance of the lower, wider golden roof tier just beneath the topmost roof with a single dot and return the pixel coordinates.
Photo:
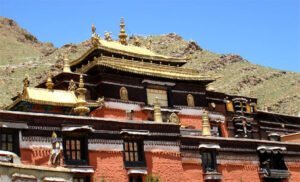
(146, 68)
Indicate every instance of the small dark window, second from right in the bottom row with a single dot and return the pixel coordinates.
(209, 161)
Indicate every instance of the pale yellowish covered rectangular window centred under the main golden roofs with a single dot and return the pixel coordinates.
(161, 95)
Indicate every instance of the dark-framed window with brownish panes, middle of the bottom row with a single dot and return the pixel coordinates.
(134, 153)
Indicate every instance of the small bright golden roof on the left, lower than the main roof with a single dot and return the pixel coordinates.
(49, 97)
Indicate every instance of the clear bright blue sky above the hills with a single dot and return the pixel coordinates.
(265, 32)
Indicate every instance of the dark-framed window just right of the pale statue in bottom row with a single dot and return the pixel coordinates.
(75, 150)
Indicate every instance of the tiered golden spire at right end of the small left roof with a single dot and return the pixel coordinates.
(81, 105)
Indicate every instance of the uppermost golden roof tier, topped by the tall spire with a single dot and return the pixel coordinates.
(129, 50)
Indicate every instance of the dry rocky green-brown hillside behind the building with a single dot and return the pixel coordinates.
(21, 53)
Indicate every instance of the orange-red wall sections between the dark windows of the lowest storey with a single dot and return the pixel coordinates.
(167, 166)
